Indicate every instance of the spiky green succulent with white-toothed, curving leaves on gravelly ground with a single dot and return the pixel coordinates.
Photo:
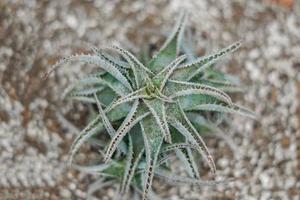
(151, 110)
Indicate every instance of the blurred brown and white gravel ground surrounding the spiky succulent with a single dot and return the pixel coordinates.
(37, 127)
